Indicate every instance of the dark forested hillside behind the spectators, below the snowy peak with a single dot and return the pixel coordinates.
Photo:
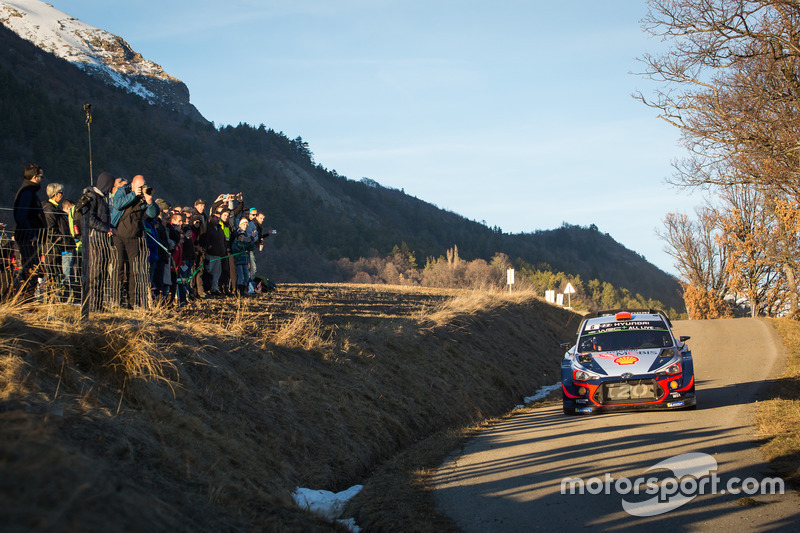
(320, 215)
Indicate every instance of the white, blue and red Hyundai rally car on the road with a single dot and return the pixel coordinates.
(627, 359)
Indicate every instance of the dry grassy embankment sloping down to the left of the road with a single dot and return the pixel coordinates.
(208, 420)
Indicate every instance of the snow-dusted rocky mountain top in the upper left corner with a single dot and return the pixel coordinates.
(95, 51)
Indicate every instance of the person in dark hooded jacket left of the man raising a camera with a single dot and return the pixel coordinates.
(98, 255)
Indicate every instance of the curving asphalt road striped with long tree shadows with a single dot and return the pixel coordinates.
(509, 478)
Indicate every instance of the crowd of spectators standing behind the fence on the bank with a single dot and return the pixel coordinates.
(136, 248)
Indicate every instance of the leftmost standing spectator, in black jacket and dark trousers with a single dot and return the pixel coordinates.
(29, 221)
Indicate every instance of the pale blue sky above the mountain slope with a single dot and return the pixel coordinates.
(515, 113)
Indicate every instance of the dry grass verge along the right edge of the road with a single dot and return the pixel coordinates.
(778, 419)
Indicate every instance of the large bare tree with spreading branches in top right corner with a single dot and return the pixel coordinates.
(731, 83)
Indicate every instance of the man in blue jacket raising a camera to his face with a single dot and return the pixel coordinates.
(131, 204)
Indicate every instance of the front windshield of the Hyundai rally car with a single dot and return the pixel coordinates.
(615, 337)
